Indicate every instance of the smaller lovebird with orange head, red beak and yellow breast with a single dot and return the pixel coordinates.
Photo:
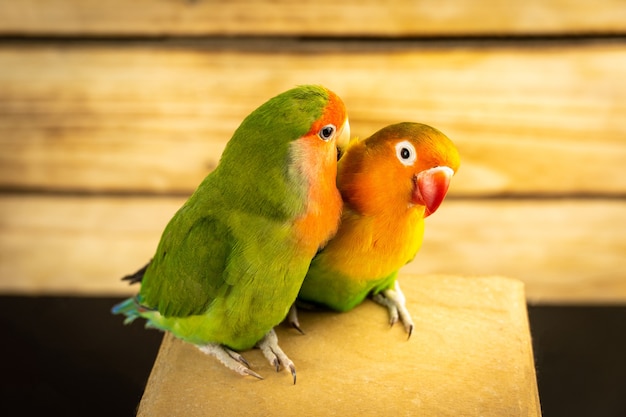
(389, 183)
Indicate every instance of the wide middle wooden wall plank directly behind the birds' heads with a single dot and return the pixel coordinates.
(154, 118)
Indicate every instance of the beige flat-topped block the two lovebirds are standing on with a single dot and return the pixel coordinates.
(470, 354)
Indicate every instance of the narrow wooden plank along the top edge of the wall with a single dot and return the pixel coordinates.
(319, 18)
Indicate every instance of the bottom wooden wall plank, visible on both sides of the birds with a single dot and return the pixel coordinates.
(564, 251)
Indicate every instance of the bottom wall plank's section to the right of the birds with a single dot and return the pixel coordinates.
(564, 250)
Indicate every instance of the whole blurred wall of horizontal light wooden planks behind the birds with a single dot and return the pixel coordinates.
(111, 113)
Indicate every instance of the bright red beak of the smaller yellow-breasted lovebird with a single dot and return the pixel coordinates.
(430, 188)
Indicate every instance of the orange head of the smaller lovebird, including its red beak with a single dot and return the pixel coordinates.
(403, 166)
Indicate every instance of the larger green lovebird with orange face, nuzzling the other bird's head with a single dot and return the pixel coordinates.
(232, 259)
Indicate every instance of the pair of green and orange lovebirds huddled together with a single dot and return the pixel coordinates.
(280, 218)
